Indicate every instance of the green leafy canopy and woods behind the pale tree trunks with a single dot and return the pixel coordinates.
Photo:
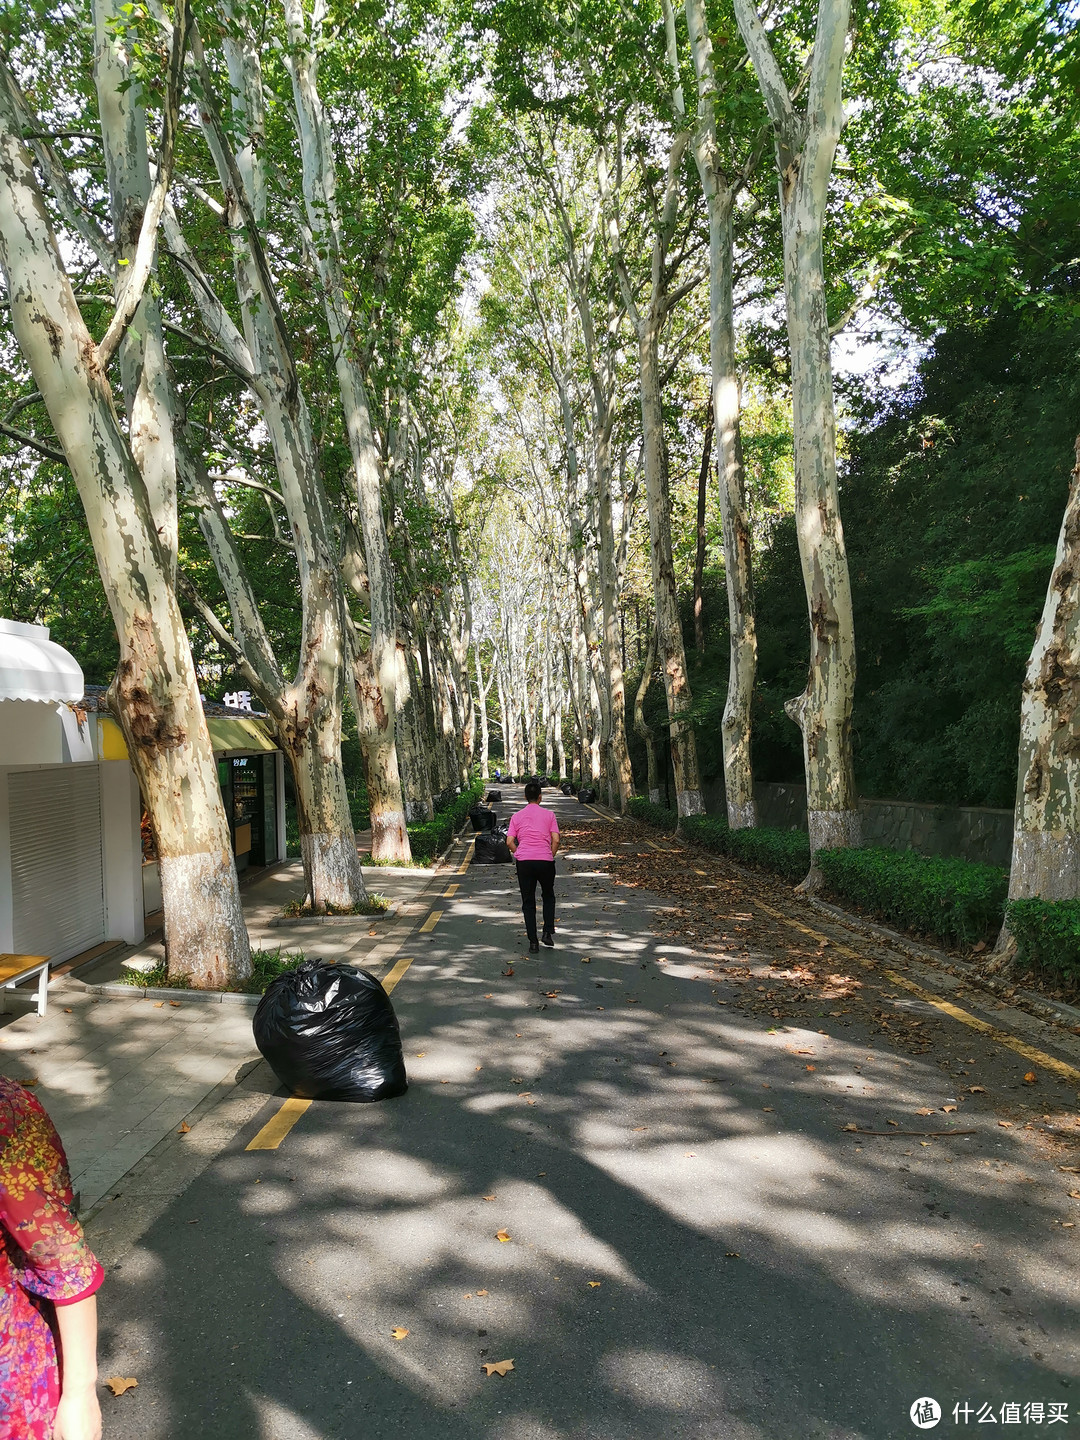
(463, 135)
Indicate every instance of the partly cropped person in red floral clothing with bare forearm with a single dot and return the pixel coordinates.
(48, 1285)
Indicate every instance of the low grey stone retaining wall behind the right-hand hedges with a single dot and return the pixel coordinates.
(931, 830)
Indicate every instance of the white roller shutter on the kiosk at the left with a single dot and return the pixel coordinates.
(57, 860)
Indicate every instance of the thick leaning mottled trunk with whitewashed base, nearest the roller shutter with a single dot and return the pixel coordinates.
(156, 689)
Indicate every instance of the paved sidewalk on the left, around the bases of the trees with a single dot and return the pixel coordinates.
(120, 1069)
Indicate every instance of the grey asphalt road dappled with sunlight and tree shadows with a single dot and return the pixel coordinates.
(698, 1248)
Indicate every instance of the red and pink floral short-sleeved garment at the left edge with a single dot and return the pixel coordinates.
(44, 1262)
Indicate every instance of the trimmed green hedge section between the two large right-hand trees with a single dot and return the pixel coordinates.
(955, 899)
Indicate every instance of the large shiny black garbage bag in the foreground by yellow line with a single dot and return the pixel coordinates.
(329, 1033)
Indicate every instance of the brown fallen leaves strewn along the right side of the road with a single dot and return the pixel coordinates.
(793, 974)
